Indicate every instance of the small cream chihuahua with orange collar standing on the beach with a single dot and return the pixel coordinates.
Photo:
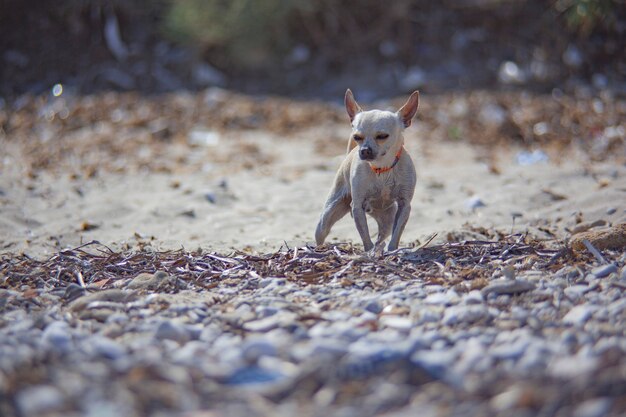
(377, 177)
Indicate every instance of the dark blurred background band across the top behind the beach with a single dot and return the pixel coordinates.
(311, 49)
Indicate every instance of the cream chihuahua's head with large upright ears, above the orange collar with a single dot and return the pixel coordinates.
(378, 133)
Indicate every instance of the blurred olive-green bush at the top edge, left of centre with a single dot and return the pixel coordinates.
(251, 33)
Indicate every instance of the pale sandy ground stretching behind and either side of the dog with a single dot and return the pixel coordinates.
(260, 208)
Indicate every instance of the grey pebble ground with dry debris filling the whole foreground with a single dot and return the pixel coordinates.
(365, 341)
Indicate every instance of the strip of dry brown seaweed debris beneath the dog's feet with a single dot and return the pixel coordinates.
(97, 266)
